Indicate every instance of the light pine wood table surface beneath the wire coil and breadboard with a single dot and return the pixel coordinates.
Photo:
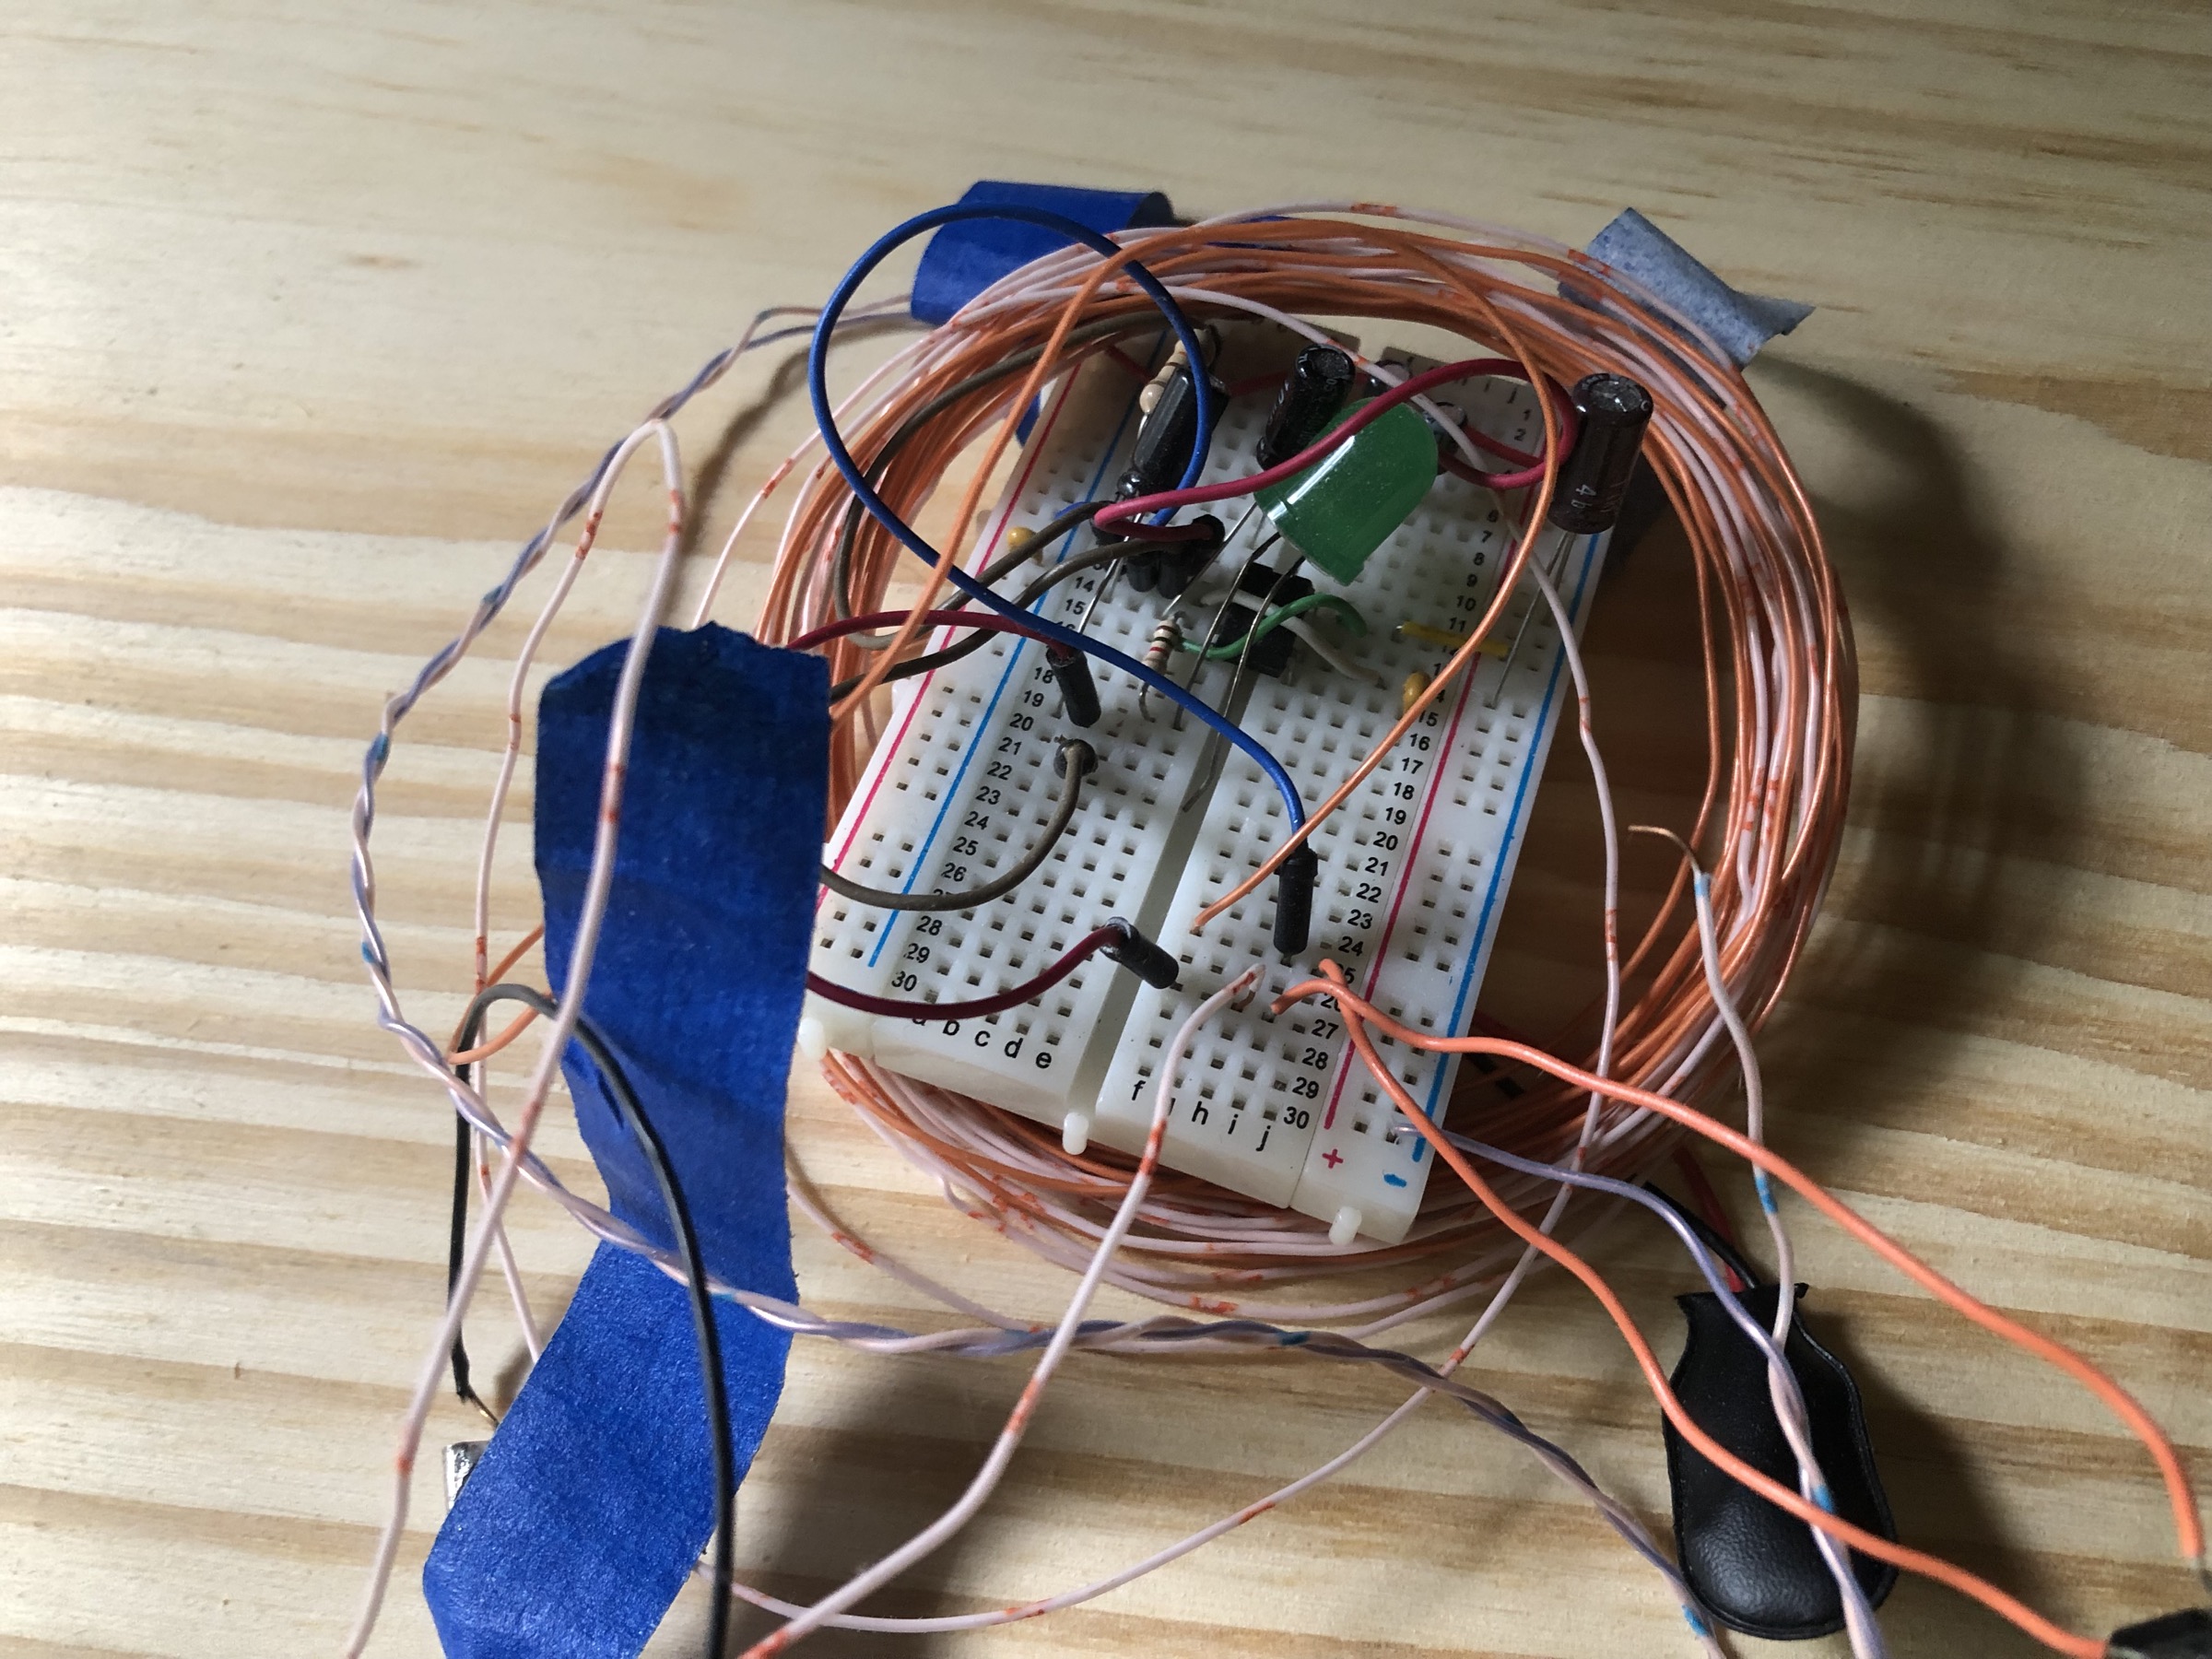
(309, 313)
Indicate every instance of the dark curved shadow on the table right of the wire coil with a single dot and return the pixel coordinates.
(1965, 773)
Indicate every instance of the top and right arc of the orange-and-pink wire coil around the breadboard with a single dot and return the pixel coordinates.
(1300, 267)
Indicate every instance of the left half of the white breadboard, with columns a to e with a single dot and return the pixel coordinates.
(963, 786)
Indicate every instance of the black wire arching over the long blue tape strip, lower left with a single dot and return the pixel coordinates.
(687, 1240)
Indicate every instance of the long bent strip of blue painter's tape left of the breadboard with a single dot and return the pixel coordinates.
(596, 1496)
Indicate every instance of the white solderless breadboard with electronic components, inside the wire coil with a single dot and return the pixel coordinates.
(1415, 868)
